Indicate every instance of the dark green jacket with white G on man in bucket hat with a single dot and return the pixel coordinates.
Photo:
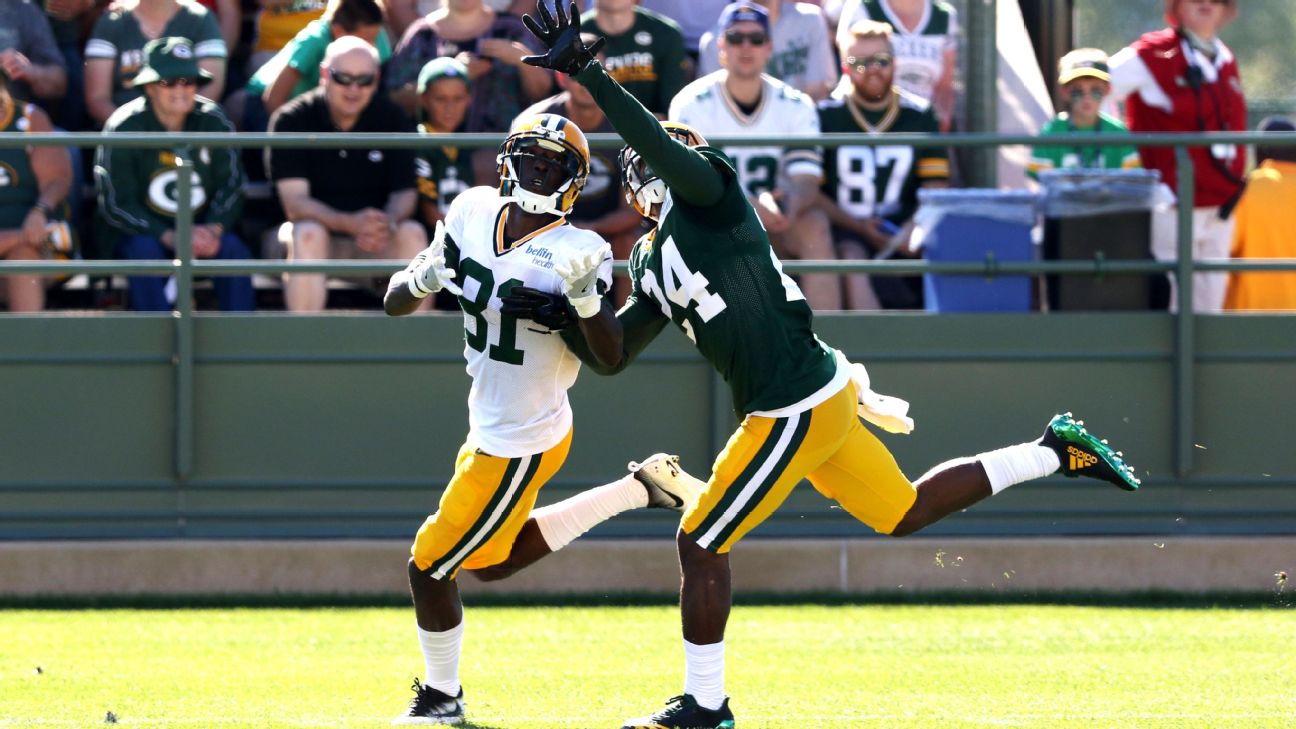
(138, 187)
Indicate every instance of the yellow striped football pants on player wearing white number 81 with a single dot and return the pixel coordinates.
(484, 509)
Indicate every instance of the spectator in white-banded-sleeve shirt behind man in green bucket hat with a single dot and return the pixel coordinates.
(115, 54)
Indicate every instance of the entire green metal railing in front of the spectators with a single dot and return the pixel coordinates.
(185, 268)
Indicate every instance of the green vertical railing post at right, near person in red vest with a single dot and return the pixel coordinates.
(1185, 346)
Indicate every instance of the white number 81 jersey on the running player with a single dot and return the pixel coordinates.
(519, 404)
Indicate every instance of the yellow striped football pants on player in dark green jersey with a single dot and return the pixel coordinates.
(768, 457)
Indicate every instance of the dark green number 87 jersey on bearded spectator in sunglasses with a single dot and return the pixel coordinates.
(881, 182)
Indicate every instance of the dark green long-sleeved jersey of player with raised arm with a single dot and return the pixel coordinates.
(710, 269)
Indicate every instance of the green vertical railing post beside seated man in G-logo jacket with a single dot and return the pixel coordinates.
(183, 317)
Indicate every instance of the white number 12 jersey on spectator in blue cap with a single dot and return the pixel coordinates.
(783, 111)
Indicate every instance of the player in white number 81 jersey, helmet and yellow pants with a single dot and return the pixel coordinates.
(514, 245)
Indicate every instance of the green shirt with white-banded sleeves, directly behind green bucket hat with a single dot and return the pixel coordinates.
(119, 38)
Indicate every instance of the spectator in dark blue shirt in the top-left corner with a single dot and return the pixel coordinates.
(30, 56)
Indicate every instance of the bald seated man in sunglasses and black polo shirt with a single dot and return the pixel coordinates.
(344, 203)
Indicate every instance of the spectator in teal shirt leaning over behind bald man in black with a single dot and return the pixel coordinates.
(296, 69)
